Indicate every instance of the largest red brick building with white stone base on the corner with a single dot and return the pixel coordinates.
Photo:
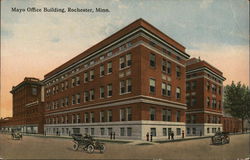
(131, 83)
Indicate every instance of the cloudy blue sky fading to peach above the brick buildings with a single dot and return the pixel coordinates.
(34, 43)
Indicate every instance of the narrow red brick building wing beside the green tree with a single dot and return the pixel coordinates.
(204, 86)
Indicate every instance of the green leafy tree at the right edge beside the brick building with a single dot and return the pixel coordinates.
(237, 101)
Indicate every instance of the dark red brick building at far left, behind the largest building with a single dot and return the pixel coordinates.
(28, 108)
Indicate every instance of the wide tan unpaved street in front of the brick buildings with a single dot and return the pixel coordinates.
(54, 148)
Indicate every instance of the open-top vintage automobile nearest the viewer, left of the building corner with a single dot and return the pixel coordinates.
(87, 143)
